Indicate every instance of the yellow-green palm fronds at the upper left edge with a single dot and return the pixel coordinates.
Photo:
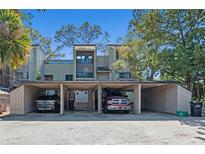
(14, 39)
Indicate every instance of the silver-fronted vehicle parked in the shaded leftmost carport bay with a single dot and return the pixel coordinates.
(48, 103)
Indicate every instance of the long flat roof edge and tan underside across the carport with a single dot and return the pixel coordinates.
(88, 85)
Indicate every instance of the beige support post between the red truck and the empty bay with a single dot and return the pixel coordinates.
(137, 99)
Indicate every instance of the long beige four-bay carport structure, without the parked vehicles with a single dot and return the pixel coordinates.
(152, 96)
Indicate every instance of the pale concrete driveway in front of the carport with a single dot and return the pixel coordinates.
(91, 128)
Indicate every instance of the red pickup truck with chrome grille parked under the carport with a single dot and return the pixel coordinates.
(116, 103)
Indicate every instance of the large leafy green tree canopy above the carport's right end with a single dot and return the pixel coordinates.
(172, 41)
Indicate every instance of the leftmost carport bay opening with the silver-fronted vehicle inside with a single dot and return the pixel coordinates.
(41, 98)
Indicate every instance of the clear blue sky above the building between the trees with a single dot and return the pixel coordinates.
(115, 22)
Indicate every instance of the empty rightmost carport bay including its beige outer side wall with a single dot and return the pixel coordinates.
(165, 97)
